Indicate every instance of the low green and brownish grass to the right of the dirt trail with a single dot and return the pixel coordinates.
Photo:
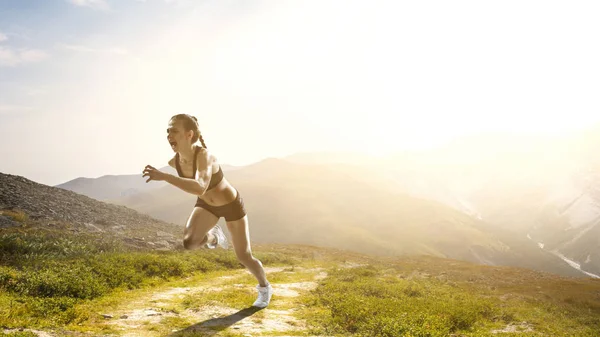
(392, 299)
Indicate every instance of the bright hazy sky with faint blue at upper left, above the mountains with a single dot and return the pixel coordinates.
(87, 86)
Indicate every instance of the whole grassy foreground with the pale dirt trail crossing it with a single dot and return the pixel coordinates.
(66, 284)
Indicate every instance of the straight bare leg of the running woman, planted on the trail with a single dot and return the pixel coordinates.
(240, 238)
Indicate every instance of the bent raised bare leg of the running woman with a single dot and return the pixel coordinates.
(196, 230)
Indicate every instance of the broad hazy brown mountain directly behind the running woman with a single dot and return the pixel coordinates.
(352, 207)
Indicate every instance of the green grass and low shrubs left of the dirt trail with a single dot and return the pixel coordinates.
(47, 279)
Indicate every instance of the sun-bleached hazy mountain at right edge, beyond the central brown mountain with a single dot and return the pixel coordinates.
(545, 189)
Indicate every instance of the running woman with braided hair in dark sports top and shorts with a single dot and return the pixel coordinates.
(199, 173)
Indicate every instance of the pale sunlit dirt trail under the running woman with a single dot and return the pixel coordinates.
(165, 313)
